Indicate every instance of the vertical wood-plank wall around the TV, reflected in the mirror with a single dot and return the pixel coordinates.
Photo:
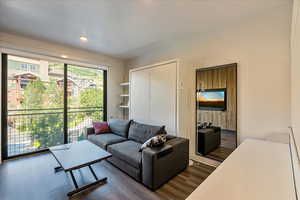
(214, 78)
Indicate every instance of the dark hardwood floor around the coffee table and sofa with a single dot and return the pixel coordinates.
(34, 178)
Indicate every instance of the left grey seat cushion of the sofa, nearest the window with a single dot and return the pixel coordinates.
(103, 140)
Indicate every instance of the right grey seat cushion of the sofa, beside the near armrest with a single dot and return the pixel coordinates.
(127, 151)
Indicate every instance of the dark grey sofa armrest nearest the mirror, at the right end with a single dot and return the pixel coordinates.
(161, 164)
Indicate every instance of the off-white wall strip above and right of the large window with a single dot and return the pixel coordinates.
(115, 72)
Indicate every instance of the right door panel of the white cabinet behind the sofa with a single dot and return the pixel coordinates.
(163, 96)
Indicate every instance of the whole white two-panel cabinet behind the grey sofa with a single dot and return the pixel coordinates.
(153, 95)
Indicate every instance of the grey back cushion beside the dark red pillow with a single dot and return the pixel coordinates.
(119, 126)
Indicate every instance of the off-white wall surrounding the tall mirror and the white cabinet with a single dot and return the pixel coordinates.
(260, 46)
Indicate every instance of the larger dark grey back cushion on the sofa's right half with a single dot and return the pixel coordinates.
(143, 132)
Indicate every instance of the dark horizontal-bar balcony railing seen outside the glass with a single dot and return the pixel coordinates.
(30, 130)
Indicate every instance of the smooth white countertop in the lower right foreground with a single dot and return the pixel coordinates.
(256, 170)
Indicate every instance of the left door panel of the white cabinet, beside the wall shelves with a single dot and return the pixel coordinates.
(139, 96)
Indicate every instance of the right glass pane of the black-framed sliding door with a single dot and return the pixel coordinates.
(85, 99)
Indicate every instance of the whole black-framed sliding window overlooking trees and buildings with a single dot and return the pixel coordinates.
(48, 103)
